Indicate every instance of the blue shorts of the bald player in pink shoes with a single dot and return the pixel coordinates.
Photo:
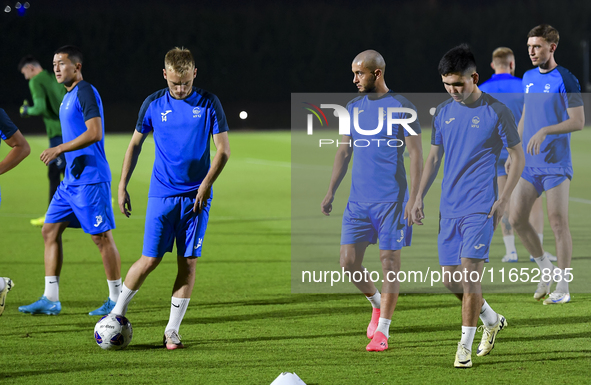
(368, 222)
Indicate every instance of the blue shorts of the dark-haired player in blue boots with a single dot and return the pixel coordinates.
(87, 206)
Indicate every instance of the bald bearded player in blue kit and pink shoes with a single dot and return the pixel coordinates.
(379, 203)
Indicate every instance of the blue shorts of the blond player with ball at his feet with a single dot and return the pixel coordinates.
(173, 218)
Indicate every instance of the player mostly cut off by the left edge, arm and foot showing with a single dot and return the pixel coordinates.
(20, 149)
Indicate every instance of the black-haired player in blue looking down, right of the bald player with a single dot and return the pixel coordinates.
(470, 128)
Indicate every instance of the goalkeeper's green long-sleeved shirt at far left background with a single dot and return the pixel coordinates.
(47, 96)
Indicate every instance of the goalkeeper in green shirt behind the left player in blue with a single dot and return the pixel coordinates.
(47, 96)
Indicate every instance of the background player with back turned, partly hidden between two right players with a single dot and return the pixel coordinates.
(508, 89)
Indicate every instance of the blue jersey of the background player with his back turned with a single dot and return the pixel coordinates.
(508, 90)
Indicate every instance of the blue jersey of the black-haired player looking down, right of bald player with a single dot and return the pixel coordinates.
(472, 137)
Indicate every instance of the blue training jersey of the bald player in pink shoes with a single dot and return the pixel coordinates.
(378, 173)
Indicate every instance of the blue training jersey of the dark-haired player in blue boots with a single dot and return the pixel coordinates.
(87, 165)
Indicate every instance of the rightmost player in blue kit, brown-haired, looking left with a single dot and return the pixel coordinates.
(553, 109)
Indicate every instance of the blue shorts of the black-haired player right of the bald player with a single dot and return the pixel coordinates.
(464, 237)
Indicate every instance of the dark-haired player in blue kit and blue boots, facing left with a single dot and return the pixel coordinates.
(83, 199)
